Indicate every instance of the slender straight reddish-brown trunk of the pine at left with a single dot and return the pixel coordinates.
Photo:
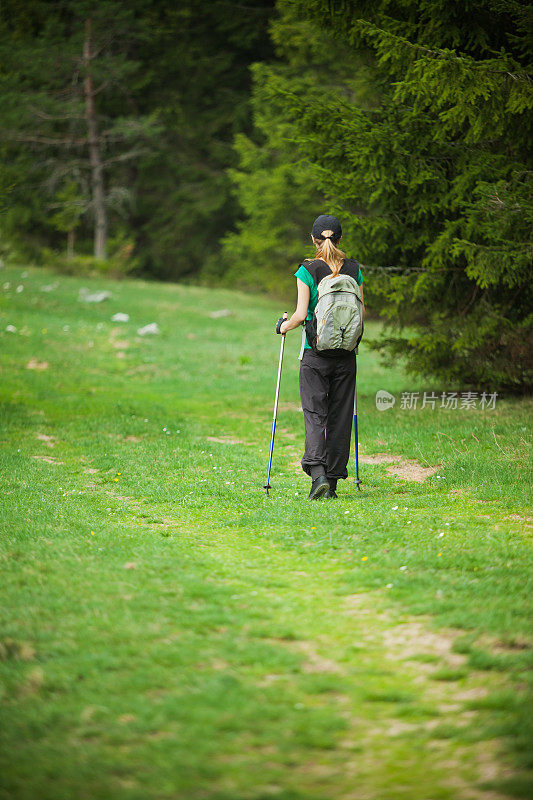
(97, 174)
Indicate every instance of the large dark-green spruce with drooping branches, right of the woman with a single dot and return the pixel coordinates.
(436, 178)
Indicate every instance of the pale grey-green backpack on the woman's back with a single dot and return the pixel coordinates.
(337, 324)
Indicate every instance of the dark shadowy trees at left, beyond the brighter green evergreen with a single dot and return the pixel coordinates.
(117, 124)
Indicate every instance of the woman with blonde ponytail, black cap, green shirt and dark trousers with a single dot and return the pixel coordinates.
(327, 378)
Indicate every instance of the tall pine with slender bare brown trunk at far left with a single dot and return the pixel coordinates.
(64, 93)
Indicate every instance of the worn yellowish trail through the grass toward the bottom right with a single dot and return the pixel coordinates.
(379, 673)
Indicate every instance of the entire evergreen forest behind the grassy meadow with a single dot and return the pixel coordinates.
(197, 141)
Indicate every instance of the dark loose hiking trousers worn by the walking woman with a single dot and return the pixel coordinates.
(327, 388)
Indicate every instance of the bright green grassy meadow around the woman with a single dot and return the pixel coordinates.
(169, 632)
